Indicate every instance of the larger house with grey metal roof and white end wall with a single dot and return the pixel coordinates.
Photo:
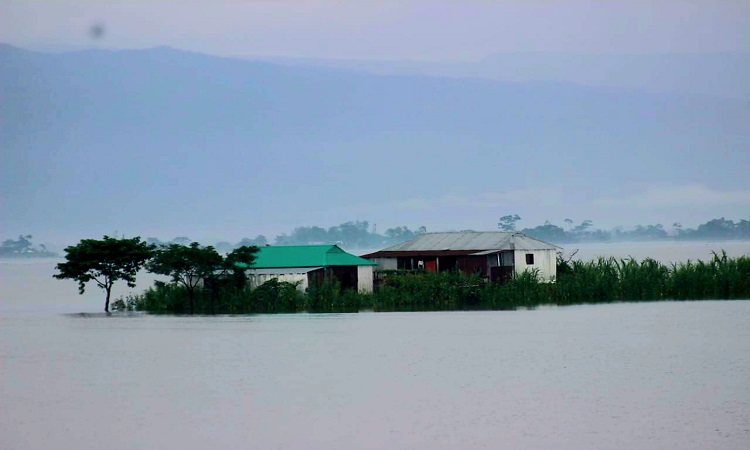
(496, 255)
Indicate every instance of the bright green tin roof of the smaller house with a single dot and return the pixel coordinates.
(277, 256)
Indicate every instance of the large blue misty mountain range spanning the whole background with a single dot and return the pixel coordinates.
(150, 141)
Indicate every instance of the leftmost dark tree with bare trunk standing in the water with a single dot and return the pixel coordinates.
(104, 262)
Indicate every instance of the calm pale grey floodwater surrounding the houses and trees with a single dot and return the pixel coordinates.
(639, 375)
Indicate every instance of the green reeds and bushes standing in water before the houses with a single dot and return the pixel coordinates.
(604, 280)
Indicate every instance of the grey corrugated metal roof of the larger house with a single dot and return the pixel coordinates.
(477, 241)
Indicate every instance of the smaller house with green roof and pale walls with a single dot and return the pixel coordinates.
(311, 265)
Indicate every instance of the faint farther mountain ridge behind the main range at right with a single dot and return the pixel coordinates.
(712, 74)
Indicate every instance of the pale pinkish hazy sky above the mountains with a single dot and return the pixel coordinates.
(382, 29)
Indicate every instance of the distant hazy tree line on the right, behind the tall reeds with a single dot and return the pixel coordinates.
(585, 232)
